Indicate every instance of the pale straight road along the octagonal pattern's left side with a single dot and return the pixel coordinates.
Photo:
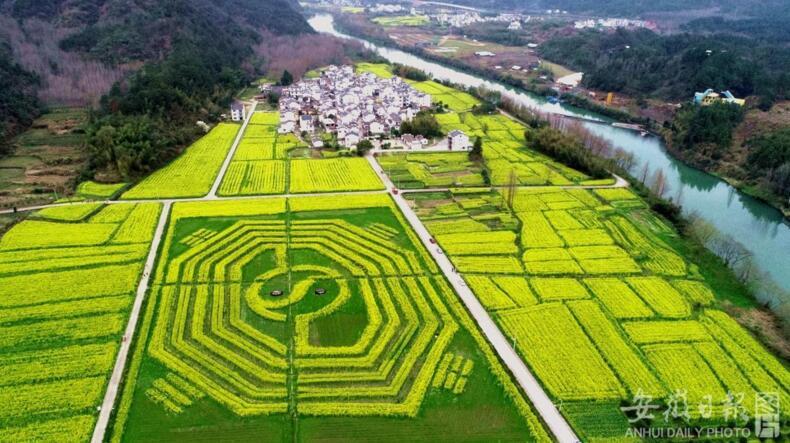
(120, 362)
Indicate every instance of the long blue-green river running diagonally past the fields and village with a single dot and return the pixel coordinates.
(761, 228)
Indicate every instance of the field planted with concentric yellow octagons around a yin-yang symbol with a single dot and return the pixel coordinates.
(297, 318)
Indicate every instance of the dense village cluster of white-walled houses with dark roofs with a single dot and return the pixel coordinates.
(352, 106)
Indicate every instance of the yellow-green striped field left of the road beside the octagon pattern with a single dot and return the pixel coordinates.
(66, 291)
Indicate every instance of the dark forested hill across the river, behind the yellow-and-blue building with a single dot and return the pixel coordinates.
(642, 63)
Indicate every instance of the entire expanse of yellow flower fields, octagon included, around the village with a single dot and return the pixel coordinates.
(324, 317)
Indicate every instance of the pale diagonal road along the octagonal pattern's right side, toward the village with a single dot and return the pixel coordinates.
(541, 401)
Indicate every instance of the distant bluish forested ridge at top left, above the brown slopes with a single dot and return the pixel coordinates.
(120, 31)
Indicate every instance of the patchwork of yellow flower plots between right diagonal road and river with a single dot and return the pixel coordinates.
(607, 310)
